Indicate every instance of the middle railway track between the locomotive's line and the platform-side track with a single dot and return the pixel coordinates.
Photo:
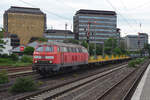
(58, 91)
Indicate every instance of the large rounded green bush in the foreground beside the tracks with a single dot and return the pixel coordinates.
(23, 84)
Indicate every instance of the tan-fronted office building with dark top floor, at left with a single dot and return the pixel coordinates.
(24, 22)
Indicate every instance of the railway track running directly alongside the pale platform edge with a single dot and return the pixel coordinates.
(124, 88)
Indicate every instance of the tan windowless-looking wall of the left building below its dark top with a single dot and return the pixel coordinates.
(26, 26)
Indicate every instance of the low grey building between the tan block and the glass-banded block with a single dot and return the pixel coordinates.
(58, 35)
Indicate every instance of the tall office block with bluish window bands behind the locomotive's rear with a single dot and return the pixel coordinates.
(100, 24)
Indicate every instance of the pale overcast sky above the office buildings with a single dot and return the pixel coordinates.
(130, 13)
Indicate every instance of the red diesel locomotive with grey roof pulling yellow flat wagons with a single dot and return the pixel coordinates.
(53, 56)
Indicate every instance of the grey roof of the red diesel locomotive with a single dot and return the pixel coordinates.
(62, 44)
